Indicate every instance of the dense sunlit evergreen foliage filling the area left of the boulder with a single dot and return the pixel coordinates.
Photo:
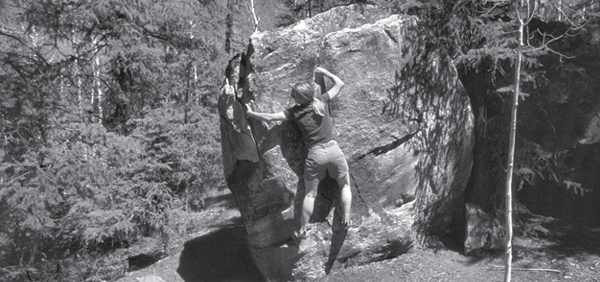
(107, 121)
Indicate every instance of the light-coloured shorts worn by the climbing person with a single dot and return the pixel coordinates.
(325, 158)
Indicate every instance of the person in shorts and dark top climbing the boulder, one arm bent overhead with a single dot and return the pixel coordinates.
(311, 114)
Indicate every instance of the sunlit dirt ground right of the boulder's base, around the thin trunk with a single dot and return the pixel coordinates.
(446, 265)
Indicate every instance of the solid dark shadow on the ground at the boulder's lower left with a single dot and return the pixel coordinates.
(221, 256)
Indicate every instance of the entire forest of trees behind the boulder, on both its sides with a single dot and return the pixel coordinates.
(109, 127)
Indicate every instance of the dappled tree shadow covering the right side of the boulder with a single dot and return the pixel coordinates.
(427, 97)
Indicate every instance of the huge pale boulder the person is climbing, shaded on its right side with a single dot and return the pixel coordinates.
(403, 122)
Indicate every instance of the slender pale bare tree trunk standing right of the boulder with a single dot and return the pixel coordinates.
(511, 147)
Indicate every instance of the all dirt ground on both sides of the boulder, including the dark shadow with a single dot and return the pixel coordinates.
(218, 253)
